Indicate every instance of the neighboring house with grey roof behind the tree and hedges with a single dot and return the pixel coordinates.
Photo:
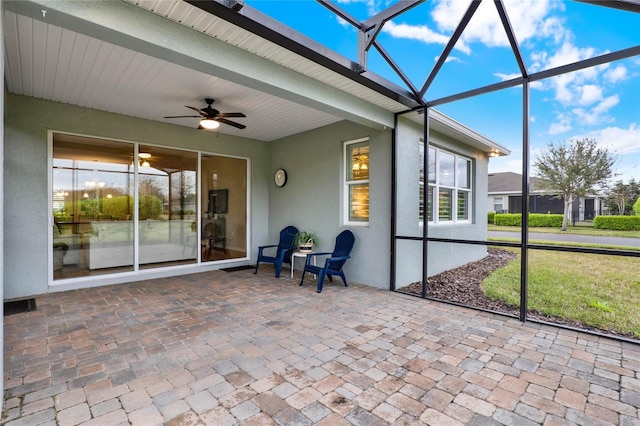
(505, 196)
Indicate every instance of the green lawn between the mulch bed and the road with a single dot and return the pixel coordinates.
(598, 290)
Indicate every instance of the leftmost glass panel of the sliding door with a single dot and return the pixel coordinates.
(92, 204)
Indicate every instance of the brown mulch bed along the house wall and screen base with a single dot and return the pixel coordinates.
(462, 285)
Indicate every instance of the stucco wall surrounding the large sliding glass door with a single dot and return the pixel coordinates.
(26, 176)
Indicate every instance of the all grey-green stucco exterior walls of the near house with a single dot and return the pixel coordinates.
(311, 199)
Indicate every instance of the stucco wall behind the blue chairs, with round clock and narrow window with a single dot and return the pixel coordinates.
(312, 197)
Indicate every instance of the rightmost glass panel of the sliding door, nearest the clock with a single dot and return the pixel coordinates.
(224, 208)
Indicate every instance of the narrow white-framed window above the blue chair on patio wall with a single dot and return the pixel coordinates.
(356, 183)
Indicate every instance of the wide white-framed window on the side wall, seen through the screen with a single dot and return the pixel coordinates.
(448, 187)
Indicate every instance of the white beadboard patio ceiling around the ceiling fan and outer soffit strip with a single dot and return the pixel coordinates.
(52, 63)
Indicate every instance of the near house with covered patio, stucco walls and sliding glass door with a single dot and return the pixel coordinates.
(100, 187)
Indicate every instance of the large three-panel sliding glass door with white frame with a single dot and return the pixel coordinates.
(119, 207)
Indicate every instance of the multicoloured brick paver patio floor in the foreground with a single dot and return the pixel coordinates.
(235, 348)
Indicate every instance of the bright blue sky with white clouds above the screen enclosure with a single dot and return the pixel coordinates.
(602, 102)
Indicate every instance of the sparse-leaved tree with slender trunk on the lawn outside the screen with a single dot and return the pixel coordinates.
(573, 169)
